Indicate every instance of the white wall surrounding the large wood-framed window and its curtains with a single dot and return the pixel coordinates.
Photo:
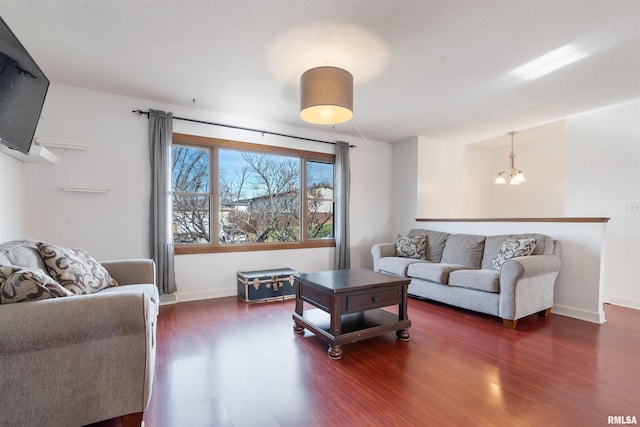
(115, 224)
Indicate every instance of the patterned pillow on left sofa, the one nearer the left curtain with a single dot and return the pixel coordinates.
(75, 269)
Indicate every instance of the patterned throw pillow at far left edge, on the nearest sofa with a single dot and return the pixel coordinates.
(19, 284)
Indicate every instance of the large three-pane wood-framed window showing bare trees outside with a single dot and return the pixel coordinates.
(236, 196)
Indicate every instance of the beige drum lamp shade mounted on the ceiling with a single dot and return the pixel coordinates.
(326, 95)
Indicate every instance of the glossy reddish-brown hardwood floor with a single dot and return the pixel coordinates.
(226, 363)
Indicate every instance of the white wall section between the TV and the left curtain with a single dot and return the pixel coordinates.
(110, 225)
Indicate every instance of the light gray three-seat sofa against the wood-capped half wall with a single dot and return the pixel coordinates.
(458, 269)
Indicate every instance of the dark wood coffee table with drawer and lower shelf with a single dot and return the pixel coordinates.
(353, 300)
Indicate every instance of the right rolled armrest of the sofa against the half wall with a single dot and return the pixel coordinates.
(526, 285)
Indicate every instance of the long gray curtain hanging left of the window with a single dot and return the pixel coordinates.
(161, 236)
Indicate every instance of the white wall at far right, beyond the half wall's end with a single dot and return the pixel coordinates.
(603, 179)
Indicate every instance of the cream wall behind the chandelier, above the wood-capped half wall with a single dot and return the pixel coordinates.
(457, 181)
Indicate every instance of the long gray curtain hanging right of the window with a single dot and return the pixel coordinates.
(342, 189)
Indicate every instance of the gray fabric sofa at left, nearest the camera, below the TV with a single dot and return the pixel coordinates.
(80, 359)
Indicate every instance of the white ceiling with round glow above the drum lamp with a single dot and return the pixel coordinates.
(437, 68)
